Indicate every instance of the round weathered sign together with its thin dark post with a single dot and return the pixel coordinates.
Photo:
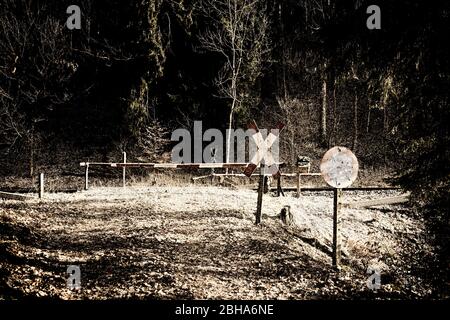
(339, 168)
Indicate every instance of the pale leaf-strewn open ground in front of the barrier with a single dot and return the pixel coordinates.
(201, 242)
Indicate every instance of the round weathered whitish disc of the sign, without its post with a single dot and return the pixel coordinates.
(339, 167)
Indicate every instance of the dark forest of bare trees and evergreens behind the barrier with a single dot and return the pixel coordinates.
(137, 70)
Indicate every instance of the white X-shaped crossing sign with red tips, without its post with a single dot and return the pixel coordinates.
(264, 151)
